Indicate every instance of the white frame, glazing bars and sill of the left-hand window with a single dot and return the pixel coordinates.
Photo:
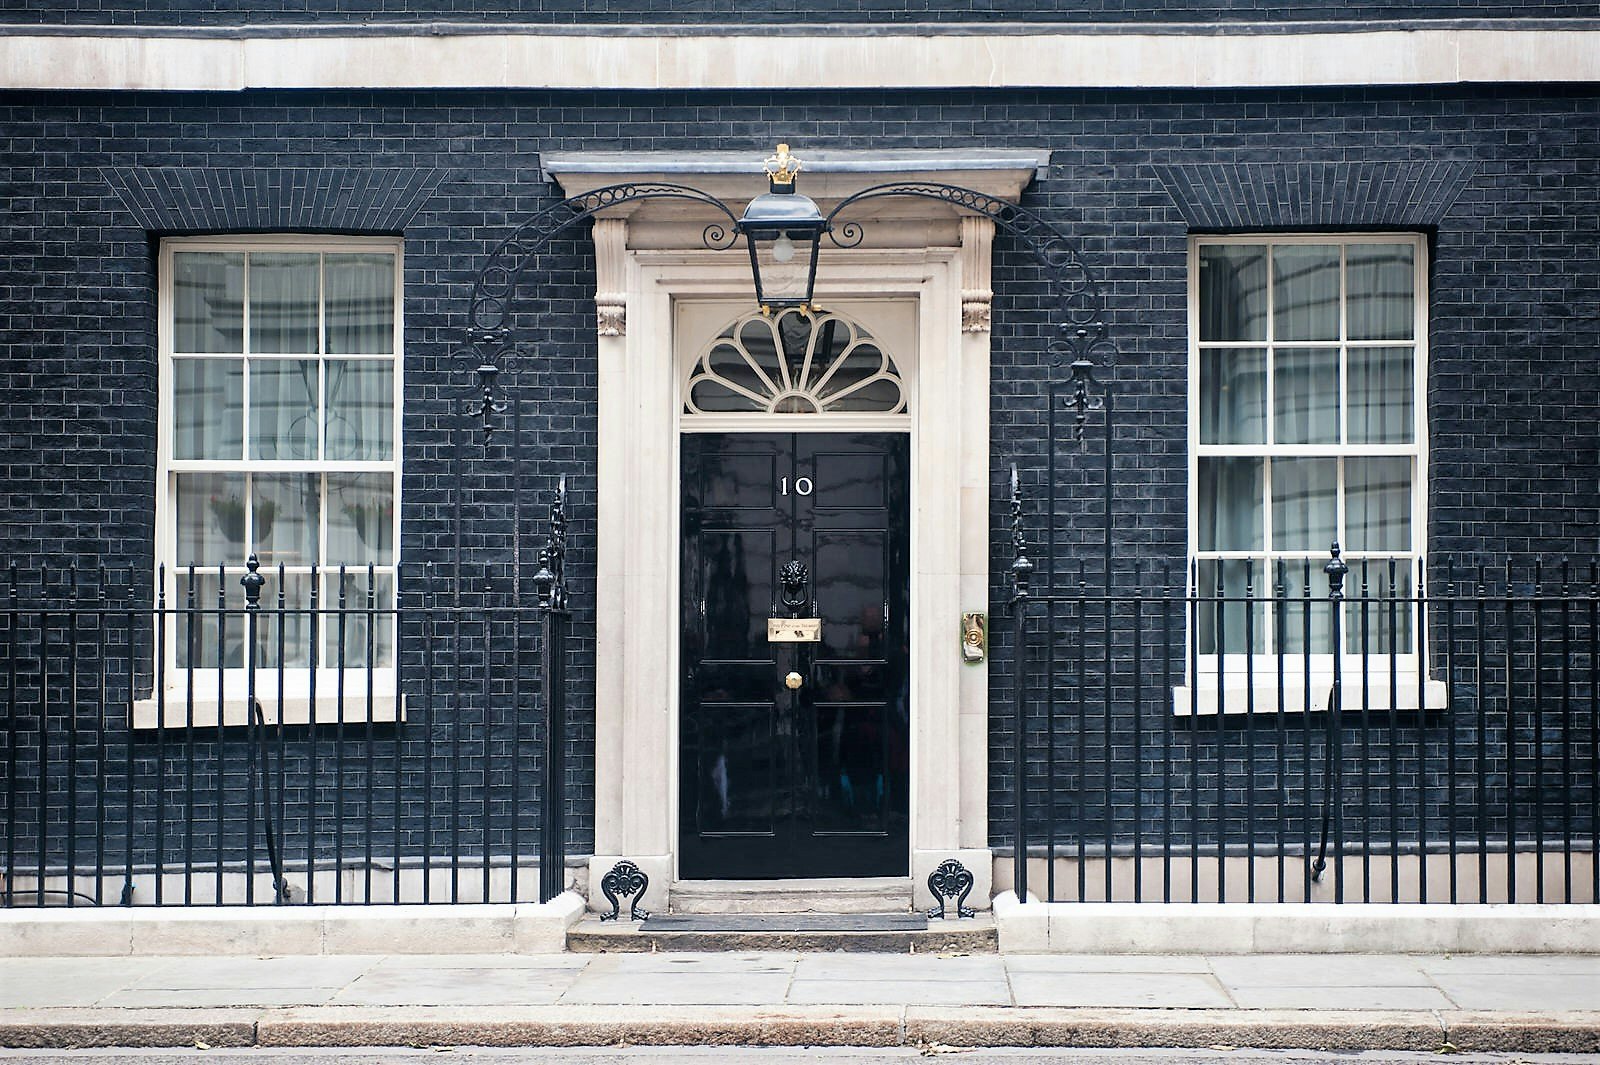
(210, 696)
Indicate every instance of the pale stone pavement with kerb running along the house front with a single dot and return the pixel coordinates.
(1353, 1002)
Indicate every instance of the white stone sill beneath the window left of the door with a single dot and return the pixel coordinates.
(367, 700)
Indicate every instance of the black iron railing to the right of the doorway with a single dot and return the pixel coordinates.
(1372, 732)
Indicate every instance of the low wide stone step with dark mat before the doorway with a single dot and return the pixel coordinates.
(951, 936)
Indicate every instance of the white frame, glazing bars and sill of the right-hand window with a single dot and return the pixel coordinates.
(1249, 682)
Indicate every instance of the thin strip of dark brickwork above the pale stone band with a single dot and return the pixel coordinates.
(774, 12)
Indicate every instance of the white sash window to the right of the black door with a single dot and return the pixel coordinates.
(1308, 426)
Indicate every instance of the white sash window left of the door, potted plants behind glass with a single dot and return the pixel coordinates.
(279, 437)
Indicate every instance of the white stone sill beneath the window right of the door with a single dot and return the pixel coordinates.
(1260, 695)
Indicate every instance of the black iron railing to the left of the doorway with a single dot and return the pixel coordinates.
(378, 743)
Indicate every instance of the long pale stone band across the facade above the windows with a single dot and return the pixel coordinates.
(836, 57)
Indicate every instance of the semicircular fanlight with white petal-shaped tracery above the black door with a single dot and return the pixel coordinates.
(794, 364)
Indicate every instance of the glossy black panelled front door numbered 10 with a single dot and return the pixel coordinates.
(794, 756)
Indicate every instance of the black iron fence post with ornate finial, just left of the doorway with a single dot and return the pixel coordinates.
(553, 677)
